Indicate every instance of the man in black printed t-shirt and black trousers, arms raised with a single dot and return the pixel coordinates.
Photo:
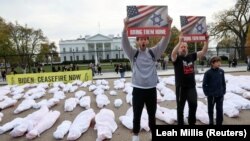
(185, 79)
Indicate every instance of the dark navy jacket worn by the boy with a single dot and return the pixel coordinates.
(214, 82)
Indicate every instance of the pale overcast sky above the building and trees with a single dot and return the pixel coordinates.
(68, 19)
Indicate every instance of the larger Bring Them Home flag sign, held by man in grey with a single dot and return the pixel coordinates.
(146, 20)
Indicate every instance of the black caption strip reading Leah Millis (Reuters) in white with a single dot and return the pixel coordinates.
(239, 132)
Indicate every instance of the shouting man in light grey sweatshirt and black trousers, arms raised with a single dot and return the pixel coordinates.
(144, 77)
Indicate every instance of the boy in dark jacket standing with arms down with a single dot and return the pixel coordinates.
(214, 87)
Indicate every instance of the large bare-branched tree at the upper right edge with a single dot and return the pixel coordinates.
(233, 23)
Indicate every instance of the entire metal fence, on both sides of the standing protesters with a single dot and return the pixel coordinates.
(28, 63)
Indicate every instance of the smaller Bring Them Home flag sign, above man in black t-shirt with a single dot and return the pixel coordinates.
(194, 28)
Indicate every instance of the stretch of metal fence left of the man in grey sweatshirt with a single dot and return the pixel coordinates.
(30, 63)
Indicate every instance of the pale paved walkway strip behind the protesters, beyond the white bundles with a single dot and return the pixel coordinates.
(114, 75)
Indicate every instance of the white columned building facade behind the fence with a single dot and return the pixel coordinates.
(97, 47)
